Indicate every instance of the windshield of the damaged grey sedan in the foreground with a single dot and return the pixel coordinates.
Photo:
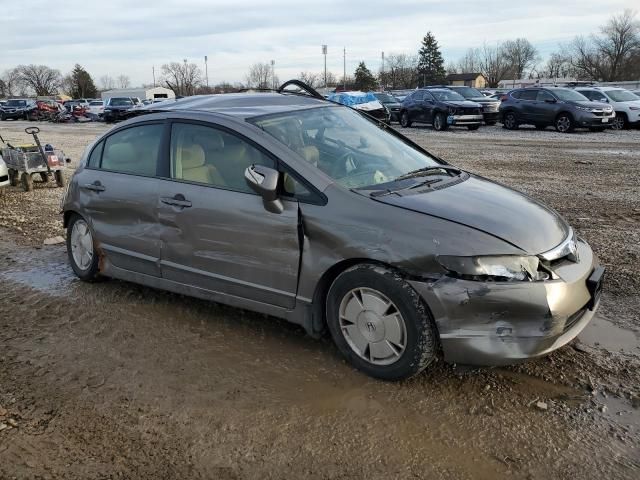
(352, 150)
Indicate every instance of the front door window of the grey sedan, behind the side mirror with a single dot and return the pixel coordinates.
(213, 157)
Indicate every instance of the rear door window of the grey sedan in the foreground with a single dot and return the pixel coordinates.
(134, 150)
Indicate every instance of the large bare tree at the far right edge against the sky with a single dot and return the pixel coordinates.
(611, 55)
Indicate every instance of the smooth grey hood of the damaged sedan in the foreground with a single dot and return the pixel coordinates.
(491, 208)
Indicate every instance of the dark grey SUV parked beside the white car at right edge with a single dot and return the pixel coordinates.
(563, 108)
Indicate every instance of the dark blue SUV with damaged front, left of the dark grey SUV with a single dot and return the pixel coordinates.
(440, 107)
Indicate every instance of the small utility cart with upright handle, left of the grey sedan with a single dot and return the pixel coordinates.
(24, 161)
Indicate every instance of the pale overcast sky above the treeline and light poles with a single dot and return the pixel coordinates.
(130, 36)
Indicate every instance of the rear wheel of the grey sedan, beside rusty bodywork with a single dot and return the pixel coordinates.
(81, 249)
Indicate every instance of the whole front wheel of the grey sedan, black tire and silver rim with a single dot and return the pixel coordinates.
(405, 343)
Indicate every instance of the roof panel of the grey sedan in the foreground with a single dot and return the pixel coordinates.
(243, 105)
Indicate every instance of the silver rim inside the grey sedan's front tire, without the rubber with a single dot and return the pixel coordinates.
(373, 326)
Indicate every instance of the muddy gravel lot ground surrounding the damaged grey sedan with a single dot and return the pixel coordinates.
(113, 380)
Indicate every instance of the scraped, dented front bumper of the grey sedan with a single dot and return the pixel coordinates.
(499, 323)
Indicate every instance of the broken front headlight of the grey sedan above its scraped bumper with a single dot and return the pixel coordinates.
(500, 268)
